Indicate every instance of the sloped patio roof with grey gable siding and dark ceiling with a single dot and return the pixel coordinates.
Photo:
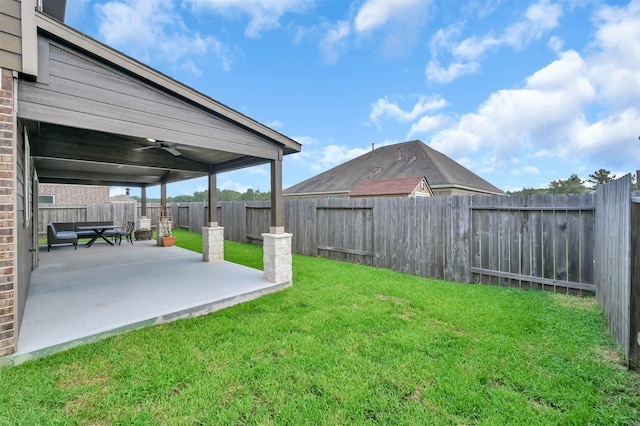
(92, 115)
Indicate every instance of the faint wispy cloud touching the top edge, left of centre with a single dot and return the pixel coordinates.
(263, 15)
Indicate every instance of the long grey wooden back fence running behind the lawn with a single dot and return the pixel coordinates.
(543, 242)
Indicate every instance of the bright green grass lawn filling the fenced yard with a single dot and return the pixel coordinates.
(346, 344)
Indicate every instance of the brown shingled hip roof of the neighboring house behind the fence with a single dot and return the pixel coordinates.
(407, 159)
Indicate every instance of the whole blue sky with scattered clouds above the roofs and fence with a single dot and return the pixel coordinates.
(520, 92)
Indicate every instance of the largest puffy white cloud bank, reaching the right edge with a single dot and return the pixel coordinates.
(547, 119)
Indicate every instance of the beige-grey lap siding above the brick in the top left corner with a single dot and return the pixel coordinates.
(10, 35)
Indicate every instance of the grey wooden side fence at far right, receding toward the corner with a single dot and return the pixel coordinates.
(613, 258)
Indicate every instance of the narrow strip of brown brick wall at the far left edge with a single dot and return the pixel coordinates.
(7, 215)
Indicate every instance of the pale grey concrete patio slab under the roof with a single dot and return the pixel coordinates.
(79, 296)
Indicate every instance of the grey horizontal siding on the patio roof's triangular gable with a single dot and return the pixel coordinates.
(76, 90)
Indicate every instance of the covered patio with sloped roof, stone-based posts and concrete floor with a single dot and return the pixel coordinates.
(80, 112)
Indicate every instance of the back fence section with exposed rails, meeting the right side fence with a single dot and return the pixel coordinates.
(534, 242)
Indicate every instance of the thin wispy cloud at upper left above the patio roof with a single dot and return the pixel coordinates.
(151, 30)
